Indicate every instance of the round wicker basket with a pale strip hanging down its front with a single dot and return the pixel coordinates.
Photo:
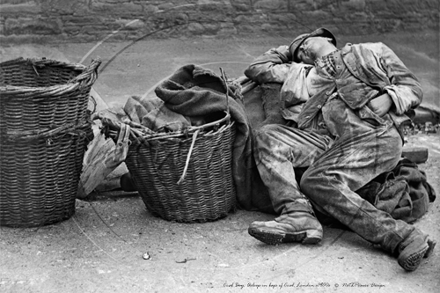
(185, 176)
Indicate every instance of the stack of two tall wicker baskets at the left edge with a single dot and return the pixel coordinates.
(45, 128)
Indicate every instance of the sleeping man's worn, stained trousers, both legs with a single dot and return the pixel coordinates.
(336, 169)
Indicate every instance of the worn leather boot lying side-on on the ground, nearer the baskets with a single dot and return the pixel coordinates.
(300, 227)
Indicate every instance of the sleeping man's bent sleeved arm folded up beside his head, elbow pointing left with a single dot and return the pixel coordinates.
(272, 66)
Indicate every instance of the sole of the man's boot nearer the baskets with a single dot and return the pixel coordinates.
(304, 237)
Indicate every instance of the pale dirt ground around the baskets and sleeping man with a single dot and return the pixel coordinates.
(101, 248)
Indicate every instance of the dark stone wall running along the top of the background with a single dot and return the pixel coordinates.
(93, 20)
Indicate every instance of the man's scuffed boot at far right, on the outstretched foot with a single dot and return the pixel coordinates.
(413, 249)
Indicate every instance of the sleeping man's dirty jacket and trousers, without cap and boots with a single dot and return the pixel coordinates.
(339, 138)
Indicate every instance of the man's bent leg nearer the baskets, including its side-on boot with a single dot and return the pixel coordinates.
(278, 150)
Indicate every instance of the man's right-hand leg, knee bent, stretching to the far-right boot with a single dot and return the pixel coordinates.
(351, 163)
